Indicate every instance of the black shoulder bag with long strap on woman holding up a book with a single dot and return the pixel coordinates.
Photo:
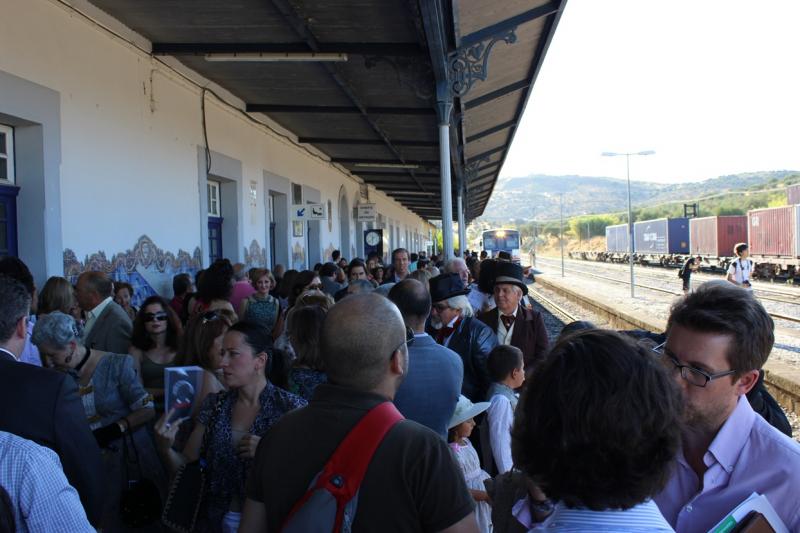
(188, 487)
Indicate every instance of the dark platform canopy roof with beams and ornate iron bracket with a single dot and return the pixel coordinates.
(374, 114)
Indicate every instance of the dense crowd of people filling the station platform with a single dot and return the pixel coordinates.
(441, 374)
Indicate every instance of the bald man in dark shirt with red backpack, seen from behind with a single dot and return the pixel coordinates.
(320, 468)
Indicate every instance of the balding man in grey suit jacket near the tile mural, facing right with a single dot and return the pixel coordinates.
(108, 327)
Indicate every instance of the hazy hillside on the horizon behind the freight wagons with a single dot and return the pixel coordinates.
(537, 196)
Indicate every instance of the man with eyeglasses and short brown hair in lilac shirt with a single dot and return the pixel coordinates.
(718, 338)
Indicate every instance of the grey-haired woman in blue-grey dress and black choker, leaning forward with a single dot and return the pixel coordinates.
(115, 403)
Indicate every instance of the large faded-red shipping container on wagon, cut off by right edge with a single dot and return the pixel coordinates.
(774, 231)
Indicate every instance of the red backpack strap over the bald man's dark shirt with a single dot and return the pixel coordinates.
(344, 471)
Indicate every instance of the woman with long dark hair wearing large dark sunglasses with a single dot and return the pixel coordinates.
(154, 343)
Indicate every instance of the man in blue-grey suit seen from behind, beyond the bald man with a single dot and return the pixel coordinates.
(430, 391)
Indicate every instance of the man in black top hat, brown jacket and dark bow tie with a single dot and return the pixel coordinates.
(512, 323)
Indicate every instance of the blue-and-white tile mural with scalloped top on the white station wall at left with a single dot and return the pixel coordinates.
(146, 267)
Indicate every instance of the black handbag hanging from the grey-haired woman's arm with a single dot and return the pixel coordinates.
(140, 501)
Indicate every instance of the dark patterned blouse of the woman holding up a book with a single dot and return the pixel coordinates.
(227, 472)
